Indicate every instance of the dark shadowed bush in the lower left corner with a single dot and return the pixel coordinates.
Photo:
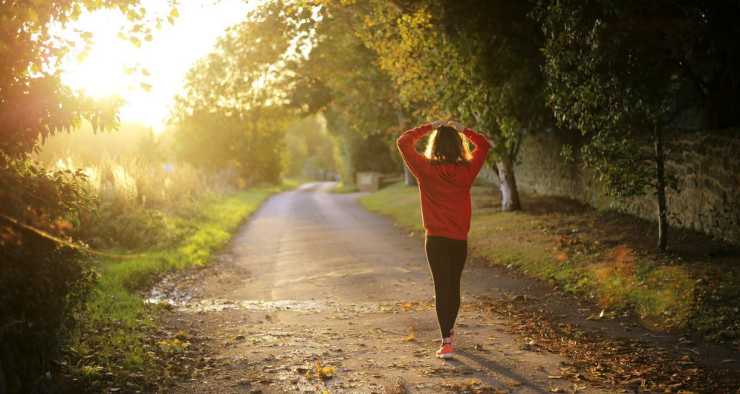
(42, 283)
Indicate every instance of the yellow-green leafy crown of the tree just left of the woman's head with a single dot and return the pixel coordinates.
(340, 77)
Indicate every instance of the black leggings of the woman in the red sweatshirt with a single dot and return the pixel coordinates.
(446, 259)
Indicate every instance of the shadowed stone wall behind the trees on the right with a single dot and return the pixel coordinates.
(707, 166)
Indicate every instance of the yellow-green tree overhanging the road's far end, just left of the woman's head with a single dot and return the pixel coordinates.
(340, 79)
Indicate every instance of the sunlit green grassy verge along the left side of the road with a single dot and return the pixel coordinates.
(113, 341)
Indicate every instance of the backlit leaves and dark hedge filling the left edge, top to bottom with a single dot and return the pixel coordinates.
(41, 280)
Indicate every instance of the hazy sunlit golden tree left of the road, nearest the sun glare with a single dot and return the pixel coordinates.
(233, 110)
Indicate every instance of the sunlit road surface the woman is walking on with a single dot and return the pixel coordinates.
(315, 293)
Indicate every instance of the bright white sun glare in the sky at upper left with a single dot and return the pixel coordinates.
(113, 66)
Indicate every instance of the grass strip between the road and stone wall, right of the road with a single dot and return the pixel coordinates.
(661, 290)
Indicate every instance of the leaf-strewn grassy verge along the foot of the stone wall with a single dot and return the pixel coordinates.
(604, 256)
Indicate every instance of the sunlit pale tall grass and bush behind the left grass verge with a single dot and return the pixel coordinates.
(133, 199)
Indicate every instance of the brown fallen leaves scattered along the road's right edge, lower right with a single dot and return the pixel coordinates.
(606, 362)
